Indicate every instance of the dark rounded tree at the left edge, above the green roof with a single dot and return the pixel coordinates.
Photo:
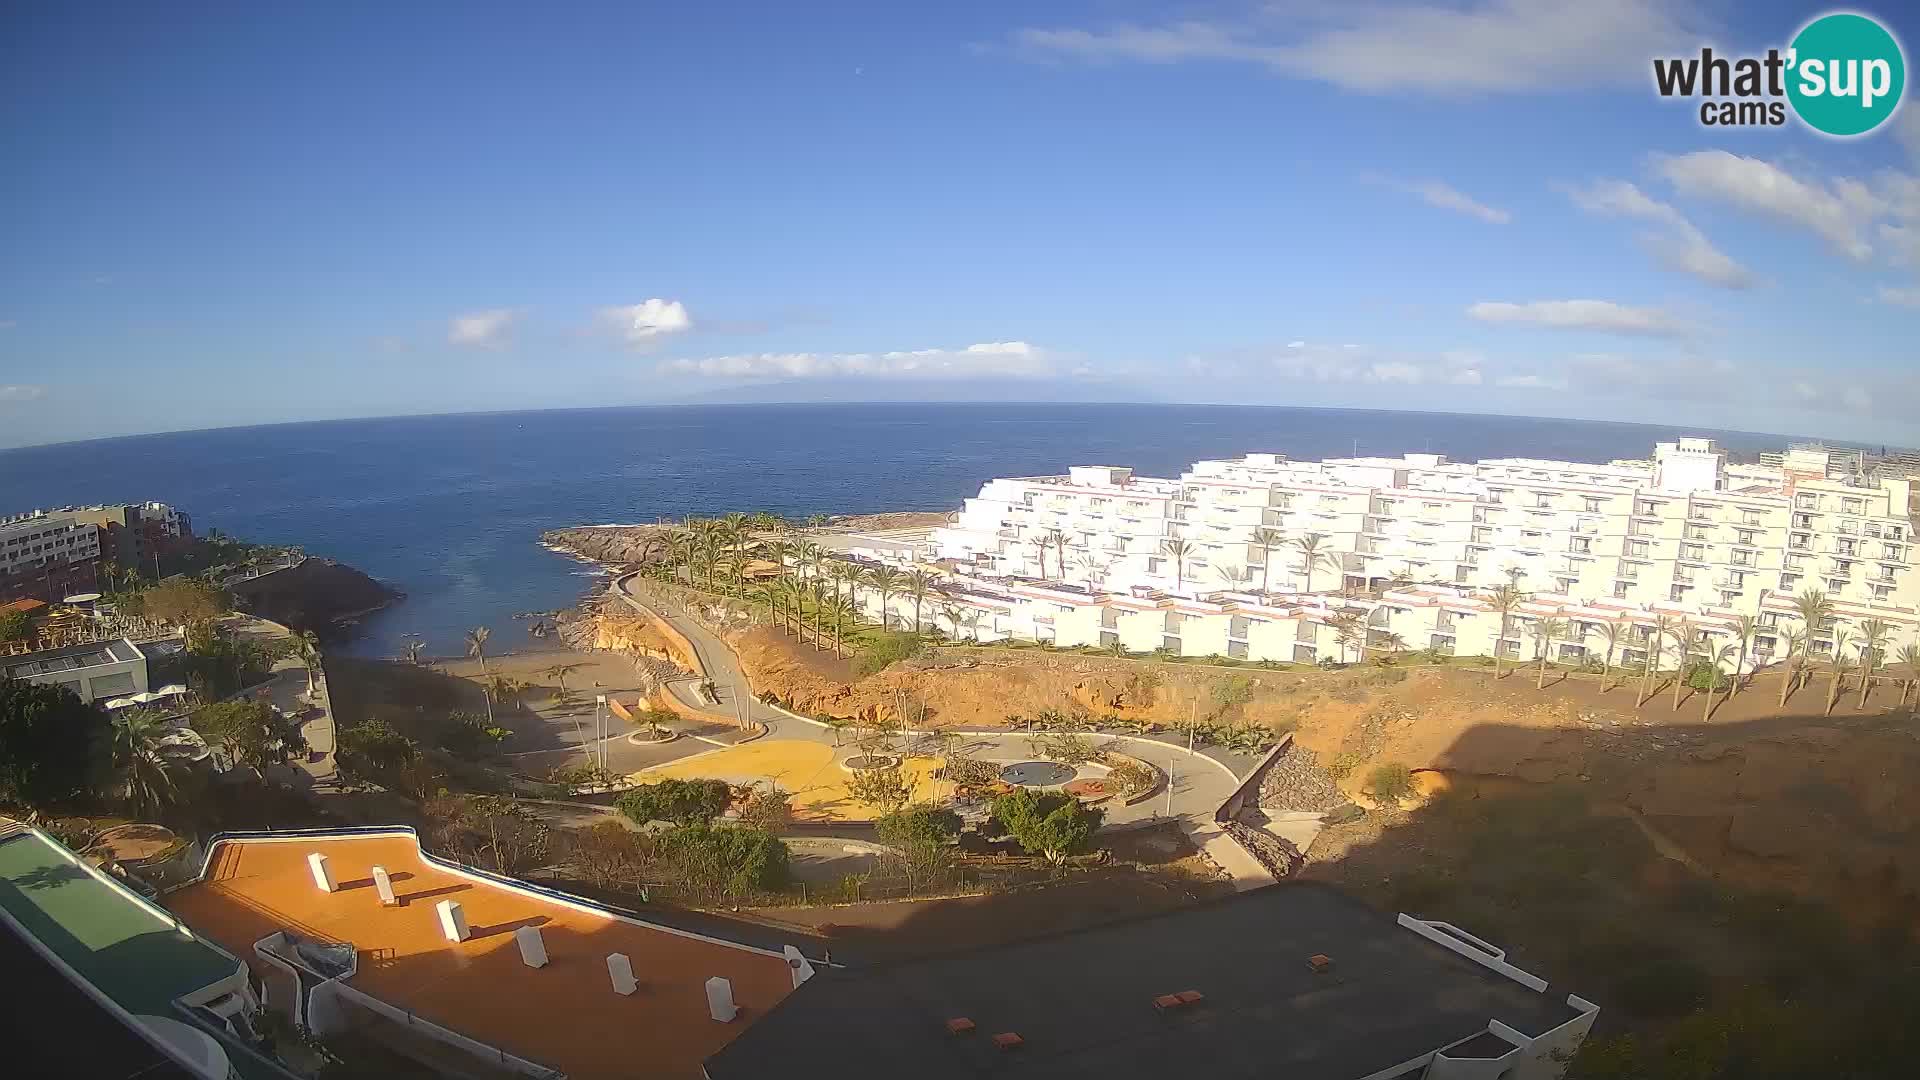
(49, 745)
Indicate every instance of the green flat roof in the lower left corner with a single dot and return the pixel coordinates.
(107, 933)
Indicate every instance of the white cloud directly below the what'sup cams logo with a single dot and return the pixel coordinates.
(1836, 210)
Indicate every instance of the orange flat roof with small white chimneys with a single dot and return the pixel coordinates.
(564, 1016)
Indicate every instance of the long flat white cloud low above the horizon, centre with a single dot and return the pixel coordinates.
(1019, 360)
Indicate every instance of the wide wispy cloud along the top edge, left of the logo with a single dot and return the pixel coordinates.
(1479, 47)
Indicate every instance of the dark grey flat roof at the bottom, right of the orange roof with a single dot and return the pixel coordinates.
(1084, 1004)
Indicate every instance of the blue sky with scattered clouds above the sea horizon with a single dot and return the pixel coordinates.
(247, 214)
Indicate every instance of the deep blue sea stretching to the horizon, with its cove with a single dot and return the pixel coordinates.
(450, 508)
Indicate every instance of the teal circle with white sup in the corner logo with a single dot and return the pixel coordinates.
(1846, 74)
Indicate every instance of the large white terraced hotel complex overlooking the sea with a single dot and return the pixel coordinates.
(1412, 545)
